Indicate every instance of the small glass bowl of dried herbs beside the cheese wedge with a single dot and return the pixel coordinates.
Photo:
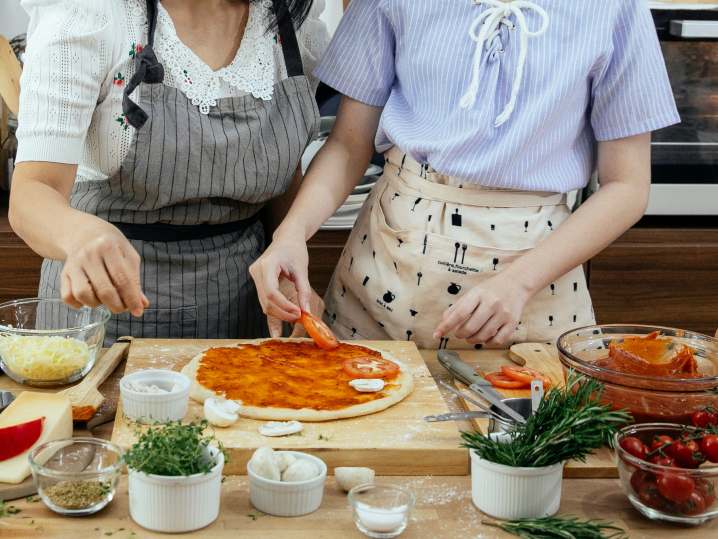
(77, 476)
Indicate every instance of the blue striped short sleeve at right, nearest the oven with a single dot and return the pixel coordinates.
(632, 93)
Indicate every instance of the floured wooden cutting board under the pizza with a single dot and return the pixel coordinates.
(395, 441)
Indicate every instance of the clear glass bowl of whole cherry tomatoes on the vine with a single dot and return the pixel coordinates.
(670, 471)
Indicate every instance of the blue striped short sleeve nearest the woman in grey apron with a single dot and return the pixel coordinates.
(359, 61)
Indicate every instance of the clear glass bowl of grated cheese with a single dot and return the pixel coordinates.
(45, 343)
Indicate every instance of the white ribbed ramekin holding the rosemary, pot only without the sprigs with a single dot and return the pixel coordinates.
(506, 492)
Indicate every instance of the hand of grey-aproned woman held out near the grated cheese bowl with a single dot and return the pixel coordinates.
(102, 267)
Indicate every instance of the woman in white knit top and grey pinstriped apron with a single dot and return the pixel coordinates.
(144, 193)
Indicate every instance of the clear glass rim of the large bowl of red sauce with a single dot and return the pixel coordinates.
(691, 383)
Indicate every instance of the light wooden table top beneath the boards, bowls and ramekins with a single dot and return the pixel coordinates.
(443, 504)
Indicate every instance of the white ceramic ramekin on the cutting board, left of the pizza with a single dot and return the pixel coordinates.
(156, 407)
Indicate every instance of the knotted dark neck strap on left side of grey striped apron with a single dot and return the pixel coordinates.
(147, 70)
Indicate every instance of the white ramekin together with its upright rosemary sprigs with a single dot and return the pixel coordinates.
(522, 478)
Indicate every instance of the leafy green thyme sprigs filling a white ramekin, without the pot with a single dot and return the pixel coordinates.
(172, 449)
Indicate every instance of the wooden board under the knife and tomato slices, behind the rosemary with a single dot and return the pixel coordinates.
(601, 464)
